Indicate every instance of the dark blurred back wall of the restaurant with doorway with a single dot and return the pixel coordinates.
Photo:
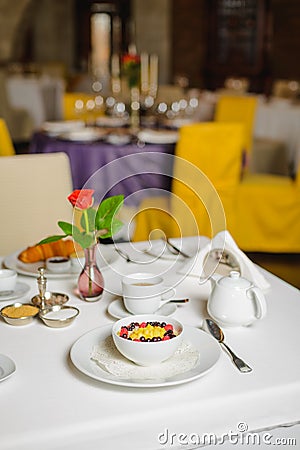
(198, 42)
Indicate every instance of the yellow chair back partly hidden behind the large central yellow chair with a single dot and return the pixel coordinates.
(238, 109)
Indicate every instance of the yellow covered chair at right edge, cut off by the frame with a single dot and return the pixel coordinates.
(268, 214)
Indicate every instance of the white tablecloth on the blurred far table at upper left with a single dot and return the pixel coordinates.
(41, 96)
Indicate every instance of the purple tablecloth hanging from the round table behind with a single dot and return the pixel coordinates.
(129, 169)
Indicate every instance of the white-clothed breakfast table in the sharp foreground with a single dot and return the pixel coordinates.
(57, 398)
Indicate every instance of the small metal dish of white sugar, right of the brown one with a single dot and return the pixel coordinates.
(58, 316)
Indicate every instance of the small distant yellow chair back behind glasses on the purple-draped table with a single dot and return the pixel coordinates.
(80, 106)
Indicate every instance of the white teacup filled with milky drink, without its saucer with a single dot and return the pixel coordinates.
(145, 293)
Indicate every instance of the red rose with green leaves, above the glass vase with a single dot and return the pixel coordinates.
(95, 224)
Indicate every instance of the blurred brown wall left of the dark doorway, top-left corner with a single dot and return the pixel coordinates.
(52, 22)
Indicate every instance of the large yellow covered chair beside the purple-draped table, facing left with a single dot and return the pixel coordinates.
(207, 170)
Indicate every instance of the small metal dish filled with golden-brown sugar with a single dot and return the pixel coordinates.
(19, 313)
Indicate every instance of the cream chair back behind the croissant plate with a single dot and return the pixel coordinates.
(35, 190)
